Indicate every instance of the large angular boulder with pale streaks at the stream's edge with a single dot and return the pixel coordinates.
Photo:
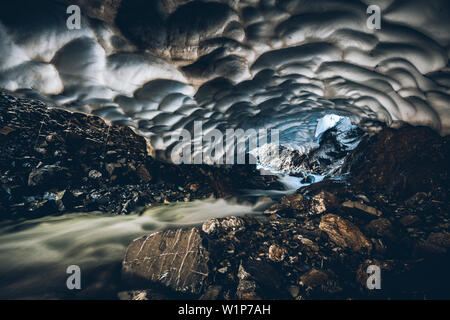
(173, 258)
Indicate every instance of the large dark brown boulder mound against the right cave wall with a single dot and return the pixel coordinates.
(400, 162)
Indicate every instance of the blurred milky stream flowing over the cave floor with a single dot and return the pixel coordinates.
(34, 254)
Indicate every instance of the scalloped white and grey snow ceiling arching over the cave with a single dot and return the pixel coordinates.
(247, 64)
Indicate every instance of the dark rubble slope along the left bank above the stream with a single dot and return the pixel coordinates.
(53, 161)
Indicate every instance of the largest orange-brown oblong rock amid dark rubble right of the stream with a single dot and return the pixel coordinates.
(343, 233)
